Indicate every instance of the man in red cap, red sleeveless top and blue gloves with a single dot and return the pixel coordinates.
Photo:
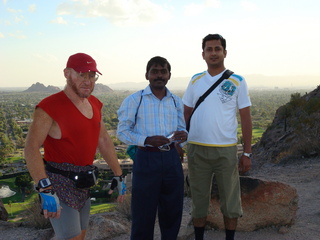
(69, 125)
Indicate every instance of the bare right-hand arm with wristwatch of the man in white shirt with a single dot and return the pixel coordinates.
(246, 128)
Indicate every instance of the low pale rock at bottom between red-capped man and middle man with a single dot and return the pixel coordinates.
(107, 225)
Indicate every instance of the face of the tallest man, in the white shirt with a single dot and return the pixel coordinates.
(214, 54)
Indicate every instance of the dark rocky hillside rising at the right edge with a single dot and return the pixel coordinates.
(294, 132)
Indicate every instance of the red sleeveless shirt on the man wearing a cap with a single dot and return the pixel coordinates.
(79, 135)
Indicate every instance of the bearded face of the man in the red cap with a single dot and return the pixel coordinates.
(81, 83)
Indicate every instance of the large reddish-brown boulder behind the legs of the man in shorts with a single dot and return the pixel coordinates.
(264, 203)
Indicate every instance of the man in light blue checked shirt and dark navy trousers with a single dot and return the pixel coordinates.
(153, 120)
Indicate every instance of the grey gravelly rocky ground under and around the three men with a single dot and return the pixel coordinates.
(303, 174)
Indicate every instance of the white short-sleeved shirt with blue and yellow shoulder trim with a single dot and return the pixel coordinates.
(214, 123)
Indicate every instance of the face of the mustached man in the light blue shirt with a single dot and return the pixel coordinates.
(158, 76)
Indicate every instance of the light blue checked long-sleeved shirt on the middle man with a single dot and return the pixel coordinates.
(152, 117)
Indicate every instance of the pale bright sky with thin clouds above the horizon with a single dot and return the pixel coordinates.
(264, 37)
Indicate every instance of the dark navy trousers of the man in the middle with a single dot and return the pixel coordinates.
(157, 185)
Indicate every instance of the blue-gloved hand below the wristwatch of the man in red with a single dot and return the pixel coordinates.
(50, 204)
